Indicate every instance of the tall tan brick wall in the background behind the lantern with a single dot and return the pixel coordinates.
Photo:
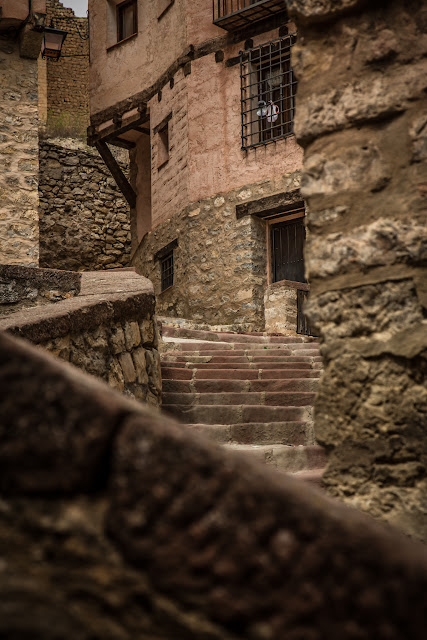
(68, 79)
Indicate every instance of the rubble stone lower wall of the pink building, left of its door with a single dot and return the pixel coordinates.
(220, 261)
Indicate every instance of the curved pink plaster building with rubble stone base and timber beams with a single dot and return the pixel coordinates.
(213, 181)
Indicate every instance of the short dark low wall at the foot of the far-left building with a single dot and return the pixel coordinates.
(22, 287)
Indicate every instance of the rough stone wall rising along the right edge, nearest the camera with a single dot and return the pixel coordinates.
(361, 116)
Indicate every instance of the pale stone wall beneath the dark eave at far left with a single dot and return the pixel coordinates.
(19, 162)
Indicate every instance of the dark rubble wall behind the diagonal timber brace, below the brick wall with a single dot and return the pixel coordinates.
(84, 219)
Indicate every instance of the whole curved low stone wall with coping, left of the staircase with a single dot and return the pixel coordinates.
(109, 331)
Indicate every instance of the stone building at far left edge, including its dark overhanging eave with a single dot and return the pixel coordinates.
(20, 41)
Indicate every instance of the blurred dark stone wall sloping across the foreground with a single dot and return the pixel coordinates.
(119, 523)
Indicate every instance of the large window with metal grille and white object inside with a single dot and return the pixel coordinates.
(268, 89)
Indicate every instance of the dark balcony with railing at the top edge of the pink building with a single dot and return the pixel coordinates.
(237, 14)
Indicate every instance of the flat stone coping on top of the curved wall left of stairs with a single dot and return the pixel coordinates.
(104, 297)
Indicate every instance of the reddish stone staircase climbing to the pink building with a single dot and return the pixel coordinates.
(248, 392)
